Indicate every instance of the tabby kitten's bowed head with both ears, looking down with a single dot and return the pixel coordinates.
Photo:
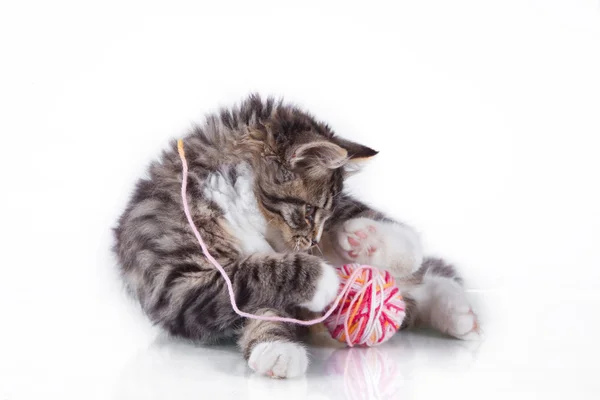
(302, 172)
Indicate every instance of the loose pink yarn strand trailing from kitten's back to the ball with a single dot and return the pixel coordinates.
(218, 266)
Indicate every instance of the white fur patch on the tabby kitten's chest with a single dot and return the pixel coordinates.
(237, 199)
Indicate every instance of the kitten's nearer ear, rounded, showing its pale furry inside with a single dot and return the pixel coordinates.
(317, 157)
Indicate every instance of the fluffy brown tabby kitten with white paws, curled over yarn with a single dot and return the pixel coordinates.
(266, 189)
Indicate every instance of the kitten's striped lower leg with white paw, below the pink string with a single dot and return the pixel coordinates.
(271, 348)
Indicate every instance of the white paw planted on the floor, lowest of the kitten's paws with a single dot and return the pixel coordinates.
(279, 359)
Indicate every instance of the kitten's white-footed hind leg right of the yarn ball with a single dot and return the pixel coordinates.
(436, 298)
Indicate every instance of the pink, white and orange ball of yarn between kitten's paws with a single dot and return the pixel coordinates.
(371, 309)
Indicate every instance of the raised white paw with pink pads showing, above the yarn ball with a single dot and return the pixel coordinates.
(382, 244)
